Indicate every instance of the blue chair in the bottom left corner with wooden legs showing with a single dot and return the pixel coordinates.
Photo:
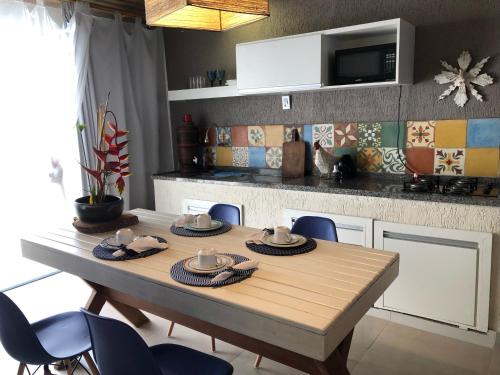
(58, 338)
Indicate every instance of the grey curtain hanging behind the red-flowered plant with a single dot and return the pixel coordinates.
(127, 60)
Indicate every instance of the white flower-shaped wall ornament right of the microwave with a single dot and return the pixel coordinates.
(462, 79)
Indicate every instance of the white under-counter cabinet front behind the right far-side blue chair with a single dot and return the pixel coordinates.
(350, 229)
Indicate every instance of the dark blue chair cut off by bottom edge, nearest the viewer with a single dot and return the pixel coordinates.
(119, 350)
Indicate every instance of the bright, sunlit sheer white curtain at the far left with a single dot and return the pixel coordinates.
(40, 175)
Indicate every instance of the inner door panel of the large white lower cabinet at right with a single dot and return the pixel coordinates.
(435, 281)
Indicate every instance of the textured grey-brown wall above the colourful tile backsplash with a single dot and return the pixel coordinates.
(443, 29)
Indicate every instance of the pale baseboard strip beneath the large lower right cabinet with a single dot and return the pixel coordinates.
(478, 338)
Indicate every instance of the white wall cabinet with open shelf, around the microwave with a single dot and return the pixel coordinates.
(305, 62)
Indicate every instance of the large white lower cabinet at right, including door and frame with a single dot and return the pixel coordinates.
(444, 274)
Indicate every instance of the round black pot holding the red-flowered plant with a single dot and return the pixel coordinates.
(111, 208)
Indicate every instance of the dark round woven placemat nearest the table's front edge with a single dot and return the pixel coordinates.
(179, 274)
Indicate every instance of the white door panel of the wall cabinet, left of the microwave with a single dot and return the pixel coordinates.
(276, 64)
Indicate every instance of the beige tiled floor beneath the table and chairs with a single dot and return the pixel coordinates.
(379, 347)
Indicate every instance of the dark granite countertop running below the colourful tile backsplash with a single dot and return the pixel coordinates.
(384, 186)
